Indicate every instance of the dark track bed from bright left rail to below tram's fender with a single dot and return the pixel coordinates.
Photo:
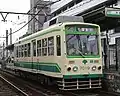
(33, 88)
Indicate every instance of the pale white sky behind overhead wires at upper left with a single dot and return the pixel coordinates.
(20, 6)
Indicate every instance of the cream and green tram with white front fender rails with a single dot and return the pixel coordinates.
(69, 52)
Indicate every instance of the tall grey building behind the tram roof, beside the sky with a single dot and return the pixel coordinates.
(38, 7)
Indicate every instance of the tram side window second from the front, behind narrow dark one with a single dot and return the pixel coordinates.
(51, 46)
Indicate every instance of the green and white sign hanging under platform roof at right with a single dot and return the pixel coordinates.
(112, 12)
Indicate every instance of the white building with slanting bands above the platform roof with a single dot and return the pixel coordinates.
(79, 7)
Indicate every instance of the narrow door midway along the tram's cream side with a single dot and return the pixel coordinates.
(33, 52)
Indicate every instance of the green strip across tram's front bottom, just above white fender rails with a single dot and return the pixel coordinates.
(83, 76)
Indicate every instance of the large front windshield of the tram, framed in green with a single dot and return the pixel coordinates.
(82, 45)
